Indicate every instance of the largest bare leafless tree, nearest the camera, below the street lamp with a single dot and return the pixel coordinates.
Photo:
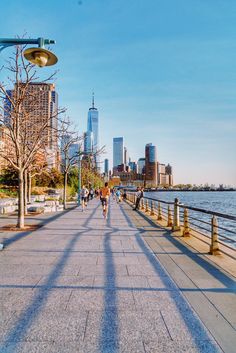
(25, 135)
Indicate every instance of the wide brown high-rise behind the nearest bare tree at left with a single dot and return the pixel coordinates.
(39, 109)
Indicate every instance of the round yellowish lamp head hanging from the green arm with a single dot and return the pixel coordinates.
(40, 56)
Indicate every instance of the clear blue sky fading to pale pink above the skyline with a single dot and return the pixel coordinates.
(162, 71)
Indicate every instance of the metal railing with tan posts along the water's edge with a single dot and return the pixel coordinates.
(219, 228)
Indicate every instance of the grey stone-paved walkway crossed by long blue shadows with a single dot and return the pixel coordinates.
(81, 284)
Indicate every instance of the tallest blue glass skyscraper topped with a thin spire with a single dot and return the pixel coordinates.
(93, 127)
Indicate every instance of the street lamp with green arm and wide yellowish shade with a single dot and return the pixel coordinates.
(38, 56)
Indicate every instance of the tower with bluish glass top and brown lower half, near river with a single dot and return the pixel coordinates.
(150, 164)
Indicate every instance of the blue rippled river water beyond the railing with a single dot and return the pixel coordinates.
(222, 202)
